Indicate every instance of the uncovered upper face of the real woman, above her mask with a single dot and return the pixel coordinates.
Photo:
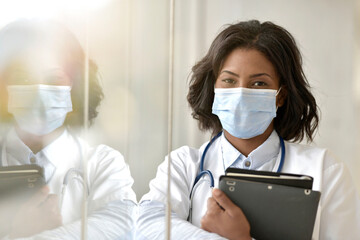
(247, 68)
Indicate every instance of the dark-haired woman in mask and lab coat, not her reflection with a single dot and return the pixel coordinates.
(251, 93)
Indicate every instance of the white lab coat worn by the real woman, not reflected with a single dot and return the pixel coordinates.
(338, 214)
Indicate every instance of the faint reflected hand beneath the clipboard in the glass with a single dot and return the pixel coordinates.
(41, 212)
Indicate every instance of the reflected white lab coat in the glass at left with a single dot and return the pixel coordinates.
(111, 200)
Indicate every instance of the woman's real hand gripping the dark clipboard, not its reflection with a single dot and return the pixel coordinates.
(225, 218)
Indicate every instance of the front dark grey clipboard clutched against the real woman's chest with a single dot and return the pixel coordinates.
(274, 211)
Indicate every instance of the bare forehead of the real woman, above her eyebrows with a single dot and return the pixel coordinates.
(248, 61)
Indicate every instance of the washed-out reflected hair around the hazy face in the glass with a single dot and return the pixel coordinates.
(18, 36)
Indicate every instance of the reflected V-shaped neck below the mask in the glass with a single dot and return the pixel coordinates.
(37, 143)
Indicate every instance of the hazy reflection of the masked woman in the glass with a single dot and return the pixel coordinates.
(42, 90)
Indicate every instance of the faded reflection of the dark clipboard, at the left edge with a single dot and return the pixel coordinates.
(20, 182)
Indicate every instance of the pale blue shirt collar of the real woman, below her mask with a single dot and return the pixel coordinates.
(268, 151)
